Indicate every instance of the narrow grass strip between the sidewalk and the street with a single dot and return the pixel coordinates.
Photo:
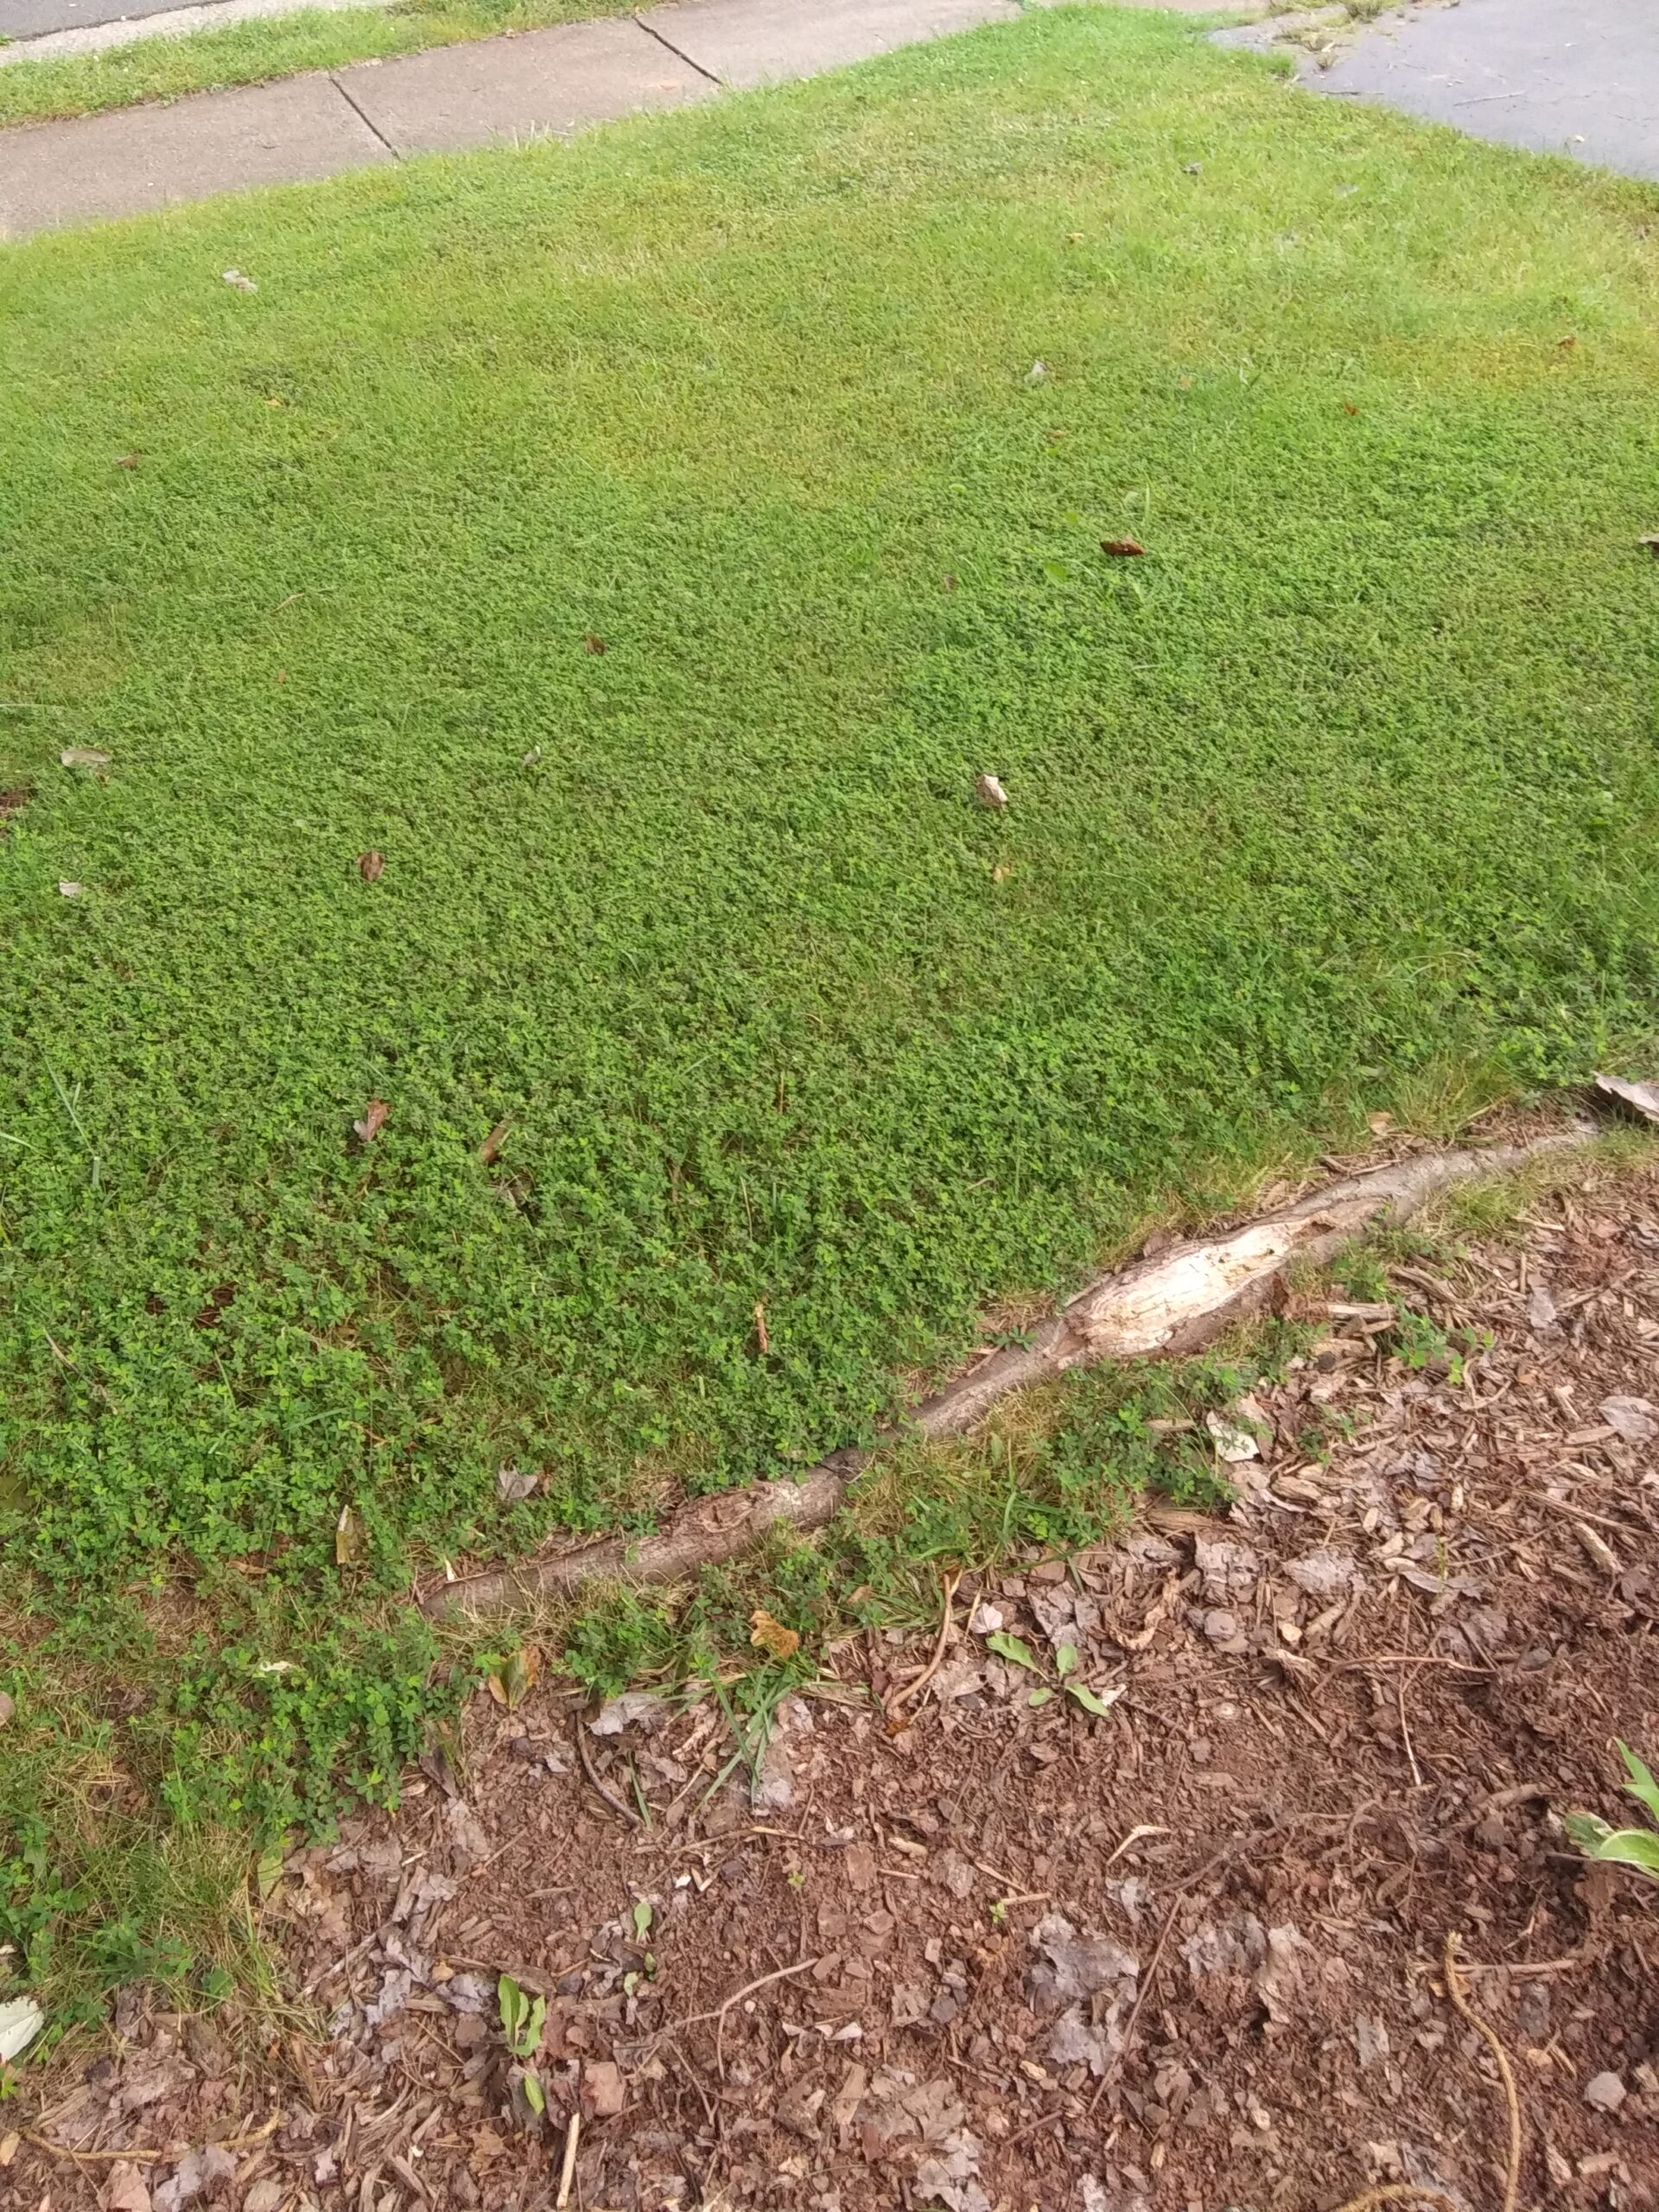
(271, 48)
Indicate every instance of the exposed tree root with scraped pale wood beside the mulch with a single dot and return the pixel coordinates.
(1156, 1308)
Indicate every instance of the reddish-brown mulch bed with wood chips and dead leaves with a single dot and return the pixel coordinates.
(1182, 1957)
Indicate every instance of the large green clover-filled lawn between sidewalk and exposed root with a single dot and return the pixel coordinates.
(643, 547)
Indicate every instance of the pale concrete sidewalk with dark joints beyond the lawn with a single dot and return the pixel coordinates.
(492, 92)
